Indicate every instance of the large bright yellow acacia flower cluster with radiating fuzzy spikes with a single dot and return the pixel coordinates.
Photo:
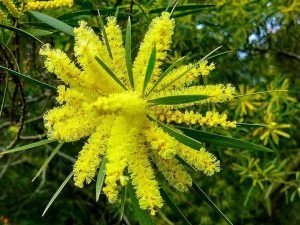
(120, 115)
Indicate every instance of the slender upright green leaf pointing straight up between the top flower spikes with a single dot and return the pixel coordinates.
(128, 53)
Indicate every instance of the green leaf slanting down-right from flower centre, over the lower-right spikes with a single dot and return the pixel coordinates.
(182, 138)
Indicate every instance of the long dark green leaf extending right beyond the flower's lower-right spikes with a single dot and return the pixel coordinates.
(222, 140)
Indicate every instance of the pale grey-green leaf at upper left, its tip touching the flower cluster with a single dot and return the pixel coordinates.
(55, 23)
